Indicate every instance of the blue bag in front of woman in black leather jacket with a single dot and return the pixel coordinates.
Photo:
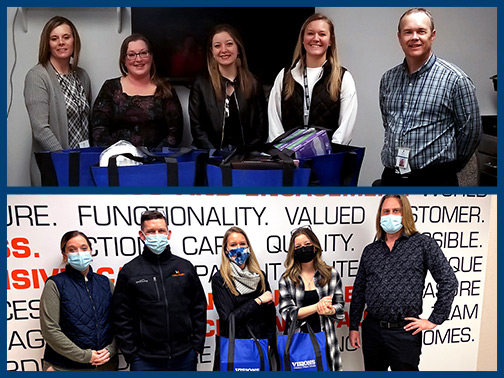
(265, 167)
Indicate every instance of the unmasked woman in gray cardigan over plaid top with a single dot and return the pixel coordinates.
(57, 92)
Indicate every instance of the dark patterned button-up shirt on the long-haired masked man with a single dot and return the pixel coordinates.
(391, 282)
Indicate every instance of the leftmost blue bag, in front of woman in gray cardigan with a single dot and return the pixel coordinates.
(70, 167)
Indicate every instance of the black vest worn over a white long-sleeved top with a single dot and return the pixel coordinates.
(323, 111)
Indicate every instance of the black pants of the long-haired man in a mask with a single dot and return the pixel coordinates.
(394, 347)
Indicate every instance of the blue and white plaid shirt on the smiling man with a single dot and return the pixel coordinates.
(433, 111)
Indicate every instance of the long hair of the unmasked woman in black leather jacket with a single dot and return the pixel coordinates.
(247, 81)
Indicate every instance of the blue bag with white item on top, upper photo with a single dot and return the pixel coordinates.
(170, 168)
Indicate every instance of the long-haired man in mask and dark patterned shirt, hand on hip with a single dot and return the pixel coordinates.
(390, 283)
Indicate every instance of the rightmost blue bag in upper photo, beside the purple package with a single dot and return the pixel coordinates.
(339, 168)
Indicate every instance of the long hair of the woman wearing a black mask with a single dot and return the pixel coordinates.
(293, 267)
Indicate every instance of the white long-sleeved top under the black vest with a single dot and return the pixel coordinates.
(348, 103)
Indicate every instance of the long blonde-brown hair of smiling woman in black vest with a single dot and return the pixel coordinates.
(334, 83)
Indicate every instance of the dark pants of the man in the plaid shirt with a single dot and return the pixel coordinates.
(435, 175)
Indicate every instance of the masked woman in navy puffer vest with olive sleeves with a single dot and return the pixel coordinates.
(75, 312)
